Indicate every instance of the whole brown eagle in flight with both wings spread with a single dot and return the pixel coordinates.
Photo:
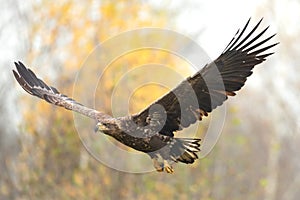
(152, 130)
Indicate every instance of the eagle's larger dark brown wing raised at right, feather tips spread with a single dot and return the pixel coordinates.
(211, 85)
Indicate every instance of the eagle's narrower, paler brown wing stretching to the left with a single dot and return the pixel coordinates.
(35, 86)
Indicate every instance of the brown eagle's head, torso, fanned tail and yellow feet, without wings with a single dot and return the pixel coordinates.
(150, 141)
